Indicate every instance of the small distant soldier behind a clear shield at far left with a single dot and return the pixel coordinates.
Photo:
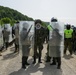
(6, 34)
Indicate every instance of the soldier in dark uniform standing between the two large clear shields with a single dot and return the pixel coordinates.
(38, 40)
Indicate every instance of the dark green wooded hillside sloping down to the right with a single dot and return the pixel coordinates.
(13, 14)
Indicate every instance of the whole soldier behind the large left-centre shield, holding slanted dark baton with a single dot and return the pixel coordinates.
(25, 43)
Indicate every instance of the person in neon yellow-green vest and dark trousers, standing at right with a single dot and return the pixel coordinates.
(68, 34)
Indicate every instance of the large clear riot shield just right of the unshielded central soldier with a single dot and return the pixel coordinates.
(56, 39)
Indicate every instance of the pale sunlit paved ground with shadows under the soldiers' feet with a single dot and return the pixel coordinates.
(10, 64)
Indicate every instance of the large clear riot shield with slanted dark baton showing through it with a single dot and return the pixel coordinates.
(26, 42)
